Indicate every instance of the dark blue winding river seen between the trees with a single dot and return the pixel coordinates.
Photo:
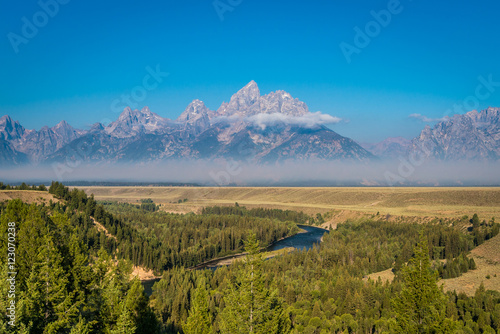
(302, 240)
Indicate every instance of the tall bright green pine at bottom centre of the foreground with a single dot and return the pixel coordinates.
(249, 306)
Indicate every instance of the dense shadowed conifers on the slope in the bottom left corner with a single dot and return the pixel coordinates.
(60, 287)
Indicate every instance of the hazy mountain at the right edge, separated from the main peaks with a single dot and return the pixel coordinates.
(472, 136)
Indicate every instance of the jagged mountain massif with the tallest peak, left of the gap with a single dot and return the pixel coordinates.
(251, 127)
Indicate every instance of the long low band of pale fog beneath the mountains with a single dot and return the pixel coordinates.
(289, 173)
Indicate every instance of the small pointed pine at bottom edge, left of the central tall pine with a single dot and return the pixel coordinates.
(199, 319)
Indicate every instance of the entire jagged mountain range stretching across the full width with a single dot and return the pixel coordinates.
(252, 127)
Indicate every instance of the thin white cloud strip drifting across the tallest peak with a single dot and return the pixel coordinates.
(264, 120)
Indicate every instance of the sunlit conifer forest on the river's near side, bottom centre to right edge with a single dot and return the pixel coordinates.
(325, 289)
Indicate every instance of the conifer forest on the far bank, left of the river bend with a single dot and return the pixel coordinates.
(159, 240)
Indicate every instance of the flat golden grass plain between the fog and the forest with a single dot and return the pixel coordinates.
(414, 201)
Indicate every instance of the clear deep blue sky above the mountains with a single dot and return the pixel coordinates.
(427, 59)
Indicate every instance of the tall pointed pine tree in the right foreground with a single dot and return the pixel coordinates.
(421, 305)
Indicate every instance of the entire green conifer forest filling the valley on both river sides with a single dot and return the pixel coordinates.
(69, 280)
